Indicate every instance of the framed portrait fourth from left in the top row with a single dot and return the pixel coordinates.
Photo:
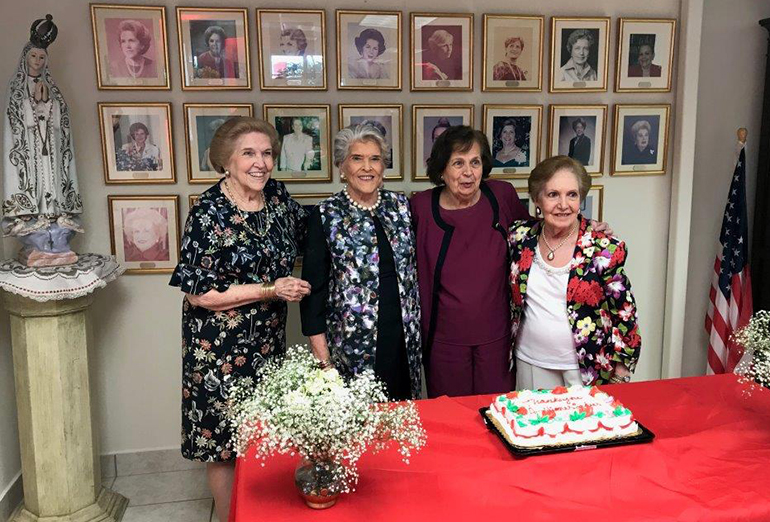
(369, 50)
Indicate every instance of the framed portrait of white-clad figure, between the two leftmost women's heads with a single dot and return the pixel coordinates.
(305, 142)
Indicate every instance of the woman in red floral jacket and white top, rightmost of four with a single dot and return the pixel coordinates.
(574, 316)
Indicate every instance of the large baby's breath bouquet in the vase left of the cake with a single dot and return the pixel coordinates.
(298, 408)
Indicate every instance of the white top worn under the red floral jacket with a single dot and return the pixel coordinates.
(545, 336)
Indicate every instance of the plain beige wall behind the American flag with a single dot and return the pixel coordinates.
(732, 76)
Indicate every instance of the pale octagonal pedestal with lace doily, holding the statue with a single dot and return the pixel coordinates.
(59, 456)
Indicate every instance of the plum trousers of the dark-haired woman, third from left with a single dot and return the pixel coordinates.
(456, 370)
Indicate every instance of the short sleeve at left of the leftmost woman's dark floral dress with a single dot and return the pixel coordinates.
(199, 259)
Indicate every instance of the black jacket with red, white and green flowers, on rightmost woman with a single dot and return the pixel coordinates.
(600, 306)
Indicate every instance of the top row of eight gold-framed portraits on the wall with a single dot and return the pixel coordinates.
(131, 50)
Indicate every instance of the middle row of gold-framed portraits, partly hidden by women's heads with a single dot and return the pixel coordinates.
(137, 143)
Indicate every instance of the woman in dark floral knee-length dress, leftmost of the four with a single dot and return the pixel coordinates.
(238, 250)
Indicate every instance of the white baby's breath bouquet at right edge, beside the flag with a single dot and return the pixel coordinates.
(755, 339)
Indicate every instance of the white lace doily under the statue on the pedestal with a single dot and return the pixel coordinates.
(52, 283)
